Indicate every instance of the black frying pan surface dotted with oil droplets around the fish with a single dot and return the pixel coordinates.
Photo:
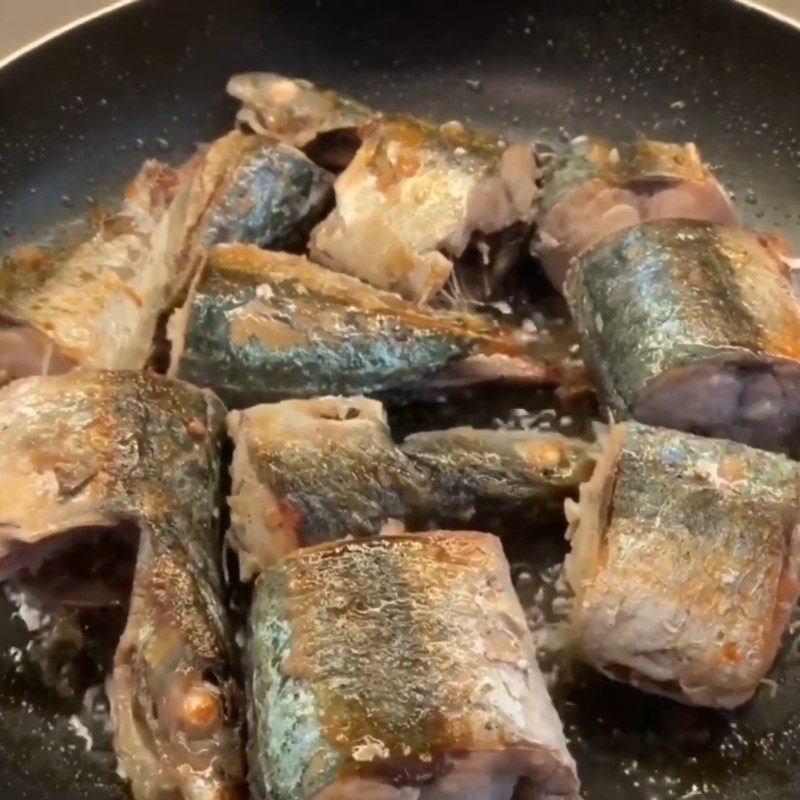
(78, 114)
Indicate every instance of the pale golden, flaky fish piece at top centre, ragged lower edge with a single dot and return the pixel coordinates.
(415, 196)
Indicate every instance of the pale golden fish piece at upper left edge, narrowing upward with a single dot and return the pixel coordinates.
(93, 302)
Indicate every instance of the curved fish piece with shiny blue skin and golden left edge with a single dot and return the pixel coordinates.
(248, 189)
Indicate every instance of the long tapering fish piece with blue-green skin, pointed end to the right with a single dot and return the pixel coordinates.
(260, 326)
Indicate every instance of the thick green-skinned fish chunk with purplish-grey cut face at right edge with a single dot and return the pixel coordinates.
(693, 326)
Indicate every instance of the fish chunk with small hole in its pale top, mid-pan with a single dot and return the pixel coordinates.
(309, 471)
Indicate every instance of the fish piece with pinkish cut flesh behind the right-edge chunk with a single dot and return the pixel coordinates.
(597, 188)
